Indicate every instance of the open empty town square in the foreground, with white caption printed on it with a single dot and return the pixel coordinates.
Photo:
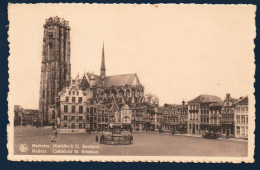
(39, 141)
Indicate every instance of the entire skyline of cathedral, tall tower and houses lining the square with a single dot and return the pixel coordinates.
(95, 102)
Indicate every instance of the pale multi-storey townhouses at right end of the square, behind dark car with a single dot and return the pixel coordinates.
(210, 113)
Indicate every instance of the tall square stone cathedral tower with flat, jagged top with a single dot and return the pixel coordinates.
(55, 66)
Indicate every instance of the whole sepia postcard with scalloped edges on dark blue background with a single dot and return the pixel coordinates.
(131, 82)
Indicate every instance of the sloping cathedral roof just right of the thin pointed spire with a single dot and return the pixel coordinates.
(121, 80)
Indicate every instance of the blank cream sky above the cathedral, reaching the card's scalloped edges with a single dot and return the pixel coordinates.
(177, 51)
